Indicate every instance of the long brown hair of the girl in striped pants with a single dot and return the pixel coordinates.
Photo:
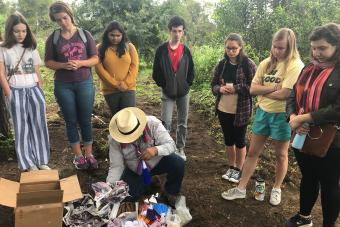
(13, 20)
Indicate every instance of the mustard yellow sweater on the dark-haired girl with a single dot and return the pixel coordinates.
(118, 74)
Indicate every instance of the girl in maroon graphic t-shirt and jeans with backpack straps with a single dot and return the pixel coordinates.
(71, 52)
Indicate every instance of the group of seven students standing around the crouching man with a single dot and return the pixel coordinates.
(312, 98)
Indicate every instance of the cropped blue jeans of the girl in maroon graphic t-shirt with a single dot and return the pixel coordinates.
(76, 102)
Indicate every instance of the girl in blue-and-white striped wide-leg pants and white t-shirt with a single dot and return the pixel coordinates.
(21, 82)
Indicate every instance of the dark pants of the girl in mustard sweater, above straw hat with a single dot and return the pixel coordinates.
(120, 100)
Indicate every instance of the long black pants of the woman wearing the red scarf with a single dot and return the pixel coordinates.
(320, 173)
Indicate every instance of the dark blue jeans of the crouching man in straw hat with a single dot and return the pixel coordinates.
(172, 165)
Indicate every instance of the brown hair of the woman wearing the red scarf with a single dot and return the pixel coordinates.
(331, 33)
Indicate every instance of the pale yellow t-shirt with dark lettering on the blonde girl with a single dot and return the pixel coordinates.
(286, 78)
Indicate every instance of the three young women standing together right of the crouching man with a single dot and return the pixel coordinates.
(312, 98)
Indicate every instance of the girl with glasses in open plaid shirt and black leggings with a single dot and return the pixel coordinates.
(230, 84)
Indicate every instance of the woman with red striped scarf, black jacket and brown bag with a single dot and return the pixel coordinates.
(315, 101)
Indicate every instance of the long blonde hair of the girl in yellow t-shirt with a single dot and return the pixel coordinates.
(291, 51)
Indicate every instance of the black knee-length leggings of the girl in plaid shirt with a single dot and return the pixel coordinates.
(233, 135)
